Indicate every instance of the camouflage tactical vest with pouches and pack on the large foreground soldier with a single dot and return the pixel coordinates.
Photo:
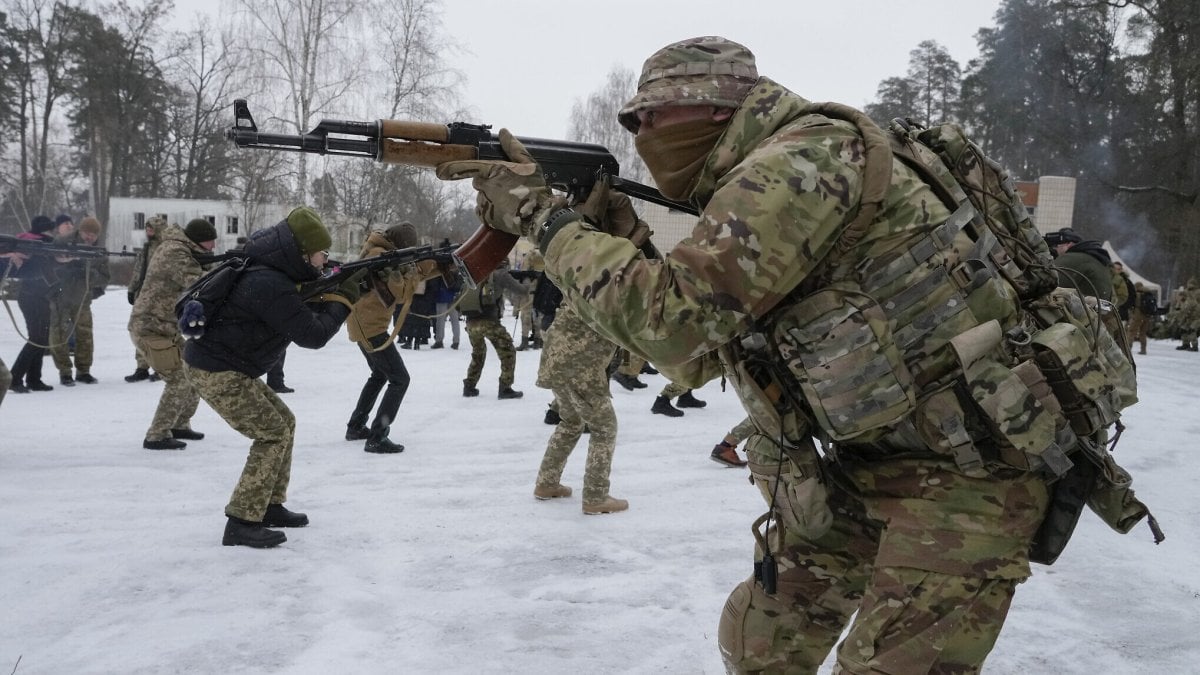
(959, 344)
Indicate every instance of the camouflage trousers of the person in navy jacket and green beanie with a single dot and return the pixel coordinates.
(259, 414)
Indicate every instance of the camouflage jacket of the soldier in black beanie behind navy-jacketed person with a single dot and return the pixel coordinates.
(172, 270)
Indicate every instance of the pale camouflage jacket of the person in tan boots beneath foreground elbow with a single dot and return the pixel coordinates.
(573, 353)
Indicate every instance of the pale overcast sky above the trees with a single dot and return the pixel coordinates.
(527, 62)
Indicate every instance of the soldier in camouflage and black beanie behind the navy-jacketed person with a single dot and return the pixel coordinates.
(155, 332)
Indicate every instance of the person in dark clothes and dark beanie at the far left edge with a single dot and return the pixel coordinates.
(34, 300)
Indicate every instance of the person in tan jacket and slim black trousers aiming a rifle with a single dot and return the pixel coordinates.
(368, 327)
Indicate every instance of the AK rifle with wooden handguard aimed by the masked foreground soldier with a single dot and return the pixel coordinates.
(571, 168)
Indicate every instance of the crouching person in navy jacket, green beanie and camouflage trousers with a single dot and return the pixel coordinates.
(245, 337)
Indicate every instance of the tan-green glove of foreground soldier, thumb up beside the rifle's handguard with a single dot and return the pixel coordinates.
(513, 196)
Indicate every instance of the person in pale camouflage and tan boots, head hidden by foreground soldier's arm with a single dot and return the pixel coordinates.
(574, 363)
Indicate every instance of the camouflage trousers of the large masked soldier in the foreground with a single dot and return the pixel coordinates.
(927, 558)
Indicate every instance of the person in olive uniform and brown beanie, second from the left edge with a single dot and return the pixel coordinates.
(81, 282)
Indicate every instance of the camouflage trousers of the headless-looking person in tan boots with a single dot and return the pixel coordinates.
(584, 404)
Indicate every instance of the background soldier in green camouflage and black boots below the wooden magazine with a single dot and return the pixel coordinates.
(483, 308)
